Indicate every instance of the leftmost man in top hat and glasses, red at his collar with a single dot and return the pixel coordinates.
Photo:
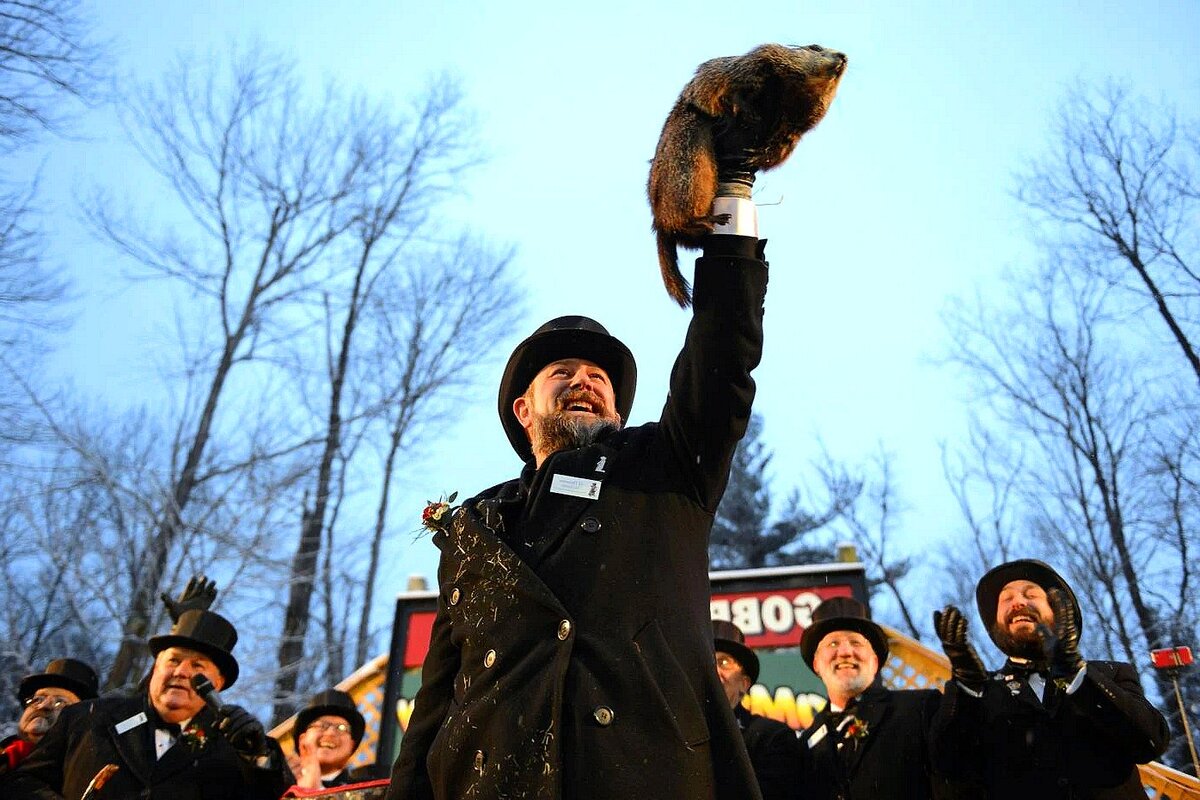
(43, 697)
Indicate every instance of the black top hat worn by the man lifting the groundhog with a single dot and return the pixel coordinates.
(565, 338)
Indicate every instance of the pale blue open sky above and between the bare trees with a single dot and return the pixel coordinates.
(898, 203)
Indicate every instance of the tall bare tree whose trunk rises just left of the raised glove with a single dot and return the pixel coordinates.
(263, 179)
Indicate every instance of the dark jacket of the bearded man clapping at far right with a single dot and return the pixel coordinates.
(1081, 745)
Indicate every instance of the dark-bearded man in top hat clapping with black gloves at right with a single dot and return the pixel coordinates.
(1049, 724)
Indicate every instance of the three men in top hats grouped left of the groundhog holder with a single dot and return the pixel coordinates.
(175, 737)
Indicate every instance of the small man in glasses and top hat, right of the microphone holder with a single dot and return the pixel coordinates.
(327, 733)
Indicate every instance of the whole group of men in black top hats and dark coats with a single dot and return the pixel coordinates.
(572, 655)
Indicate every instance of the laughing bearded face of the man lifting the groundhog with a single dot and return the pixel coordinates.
(567, 406)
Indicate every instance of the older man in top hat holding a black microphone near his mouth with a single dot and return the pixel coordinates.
(167, 743)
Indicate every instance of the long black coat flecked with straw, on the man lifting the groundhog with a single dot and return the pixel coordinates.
(583, 666)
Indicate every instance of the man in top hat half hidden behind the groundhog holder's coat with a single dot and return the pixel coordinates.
(773, 747)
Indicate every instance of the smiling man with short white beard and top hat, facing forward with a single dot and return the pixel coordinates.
(869, 743)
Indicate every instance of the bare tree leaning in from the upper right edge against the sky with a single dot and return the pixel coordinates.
(1121, 189)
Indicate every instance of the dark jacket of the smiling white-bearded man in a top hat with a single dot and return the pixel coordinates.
(891, 762)
